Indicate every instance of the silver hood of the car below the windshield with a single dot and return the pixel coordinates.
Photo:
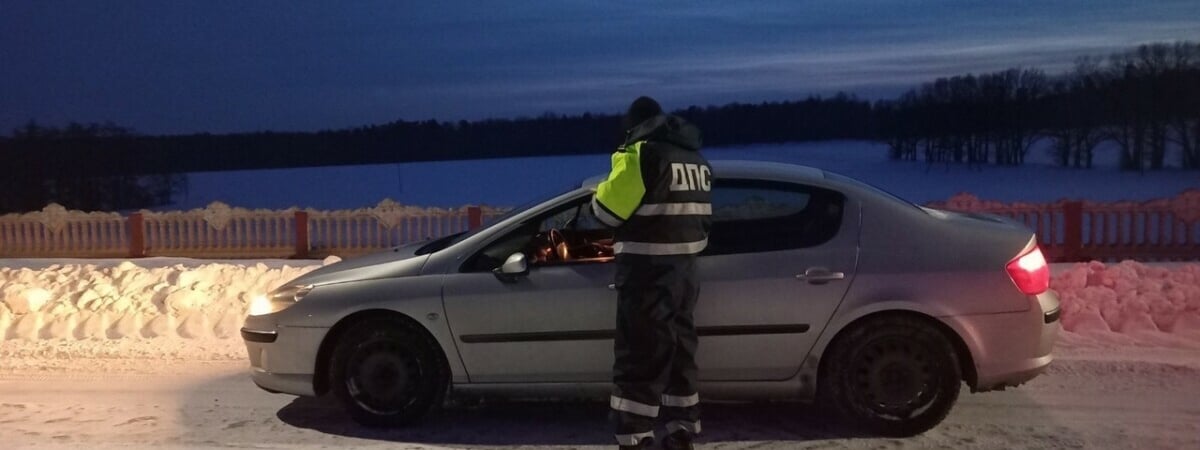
(397, 262)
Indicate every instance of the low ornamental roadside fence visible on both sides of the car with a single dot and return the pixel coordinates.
(1069, 231)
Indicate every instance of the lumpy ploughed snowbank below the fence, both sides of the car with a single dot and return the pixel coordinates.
(188, 309)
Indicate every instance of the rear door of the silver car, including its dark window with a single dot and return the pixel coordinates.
(781, 259)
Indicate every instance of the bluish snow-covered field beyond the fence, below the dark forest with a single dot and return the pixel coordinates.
(513, 182)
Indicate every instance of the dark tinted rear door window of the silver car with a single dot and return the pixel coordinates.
(763, 217)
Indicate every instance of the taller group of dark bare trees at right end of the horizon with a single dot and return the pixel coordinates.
(1145, 101)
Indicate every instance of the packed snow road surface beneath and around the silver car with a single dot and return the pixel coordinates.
(1091, 398)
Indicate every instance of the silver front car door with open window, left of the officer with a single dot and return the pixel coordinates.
(555, 325)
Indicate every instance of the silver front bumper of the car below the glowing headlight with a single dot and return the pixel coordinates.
(284, 359)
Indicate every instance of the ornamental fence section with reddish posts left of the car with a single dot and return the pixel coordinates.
(223, 232)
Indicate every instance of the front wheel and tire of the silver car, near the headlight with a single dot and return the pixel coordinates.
(388, 374)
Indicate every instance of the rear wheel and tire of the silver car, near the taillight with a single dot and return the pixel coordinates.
(893, 376)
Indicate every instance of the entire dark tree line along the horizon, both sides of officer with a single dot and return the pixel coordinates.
(1145, 100)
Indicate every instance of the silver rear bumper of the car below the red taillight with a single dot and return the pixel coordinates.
(1011, 349)
